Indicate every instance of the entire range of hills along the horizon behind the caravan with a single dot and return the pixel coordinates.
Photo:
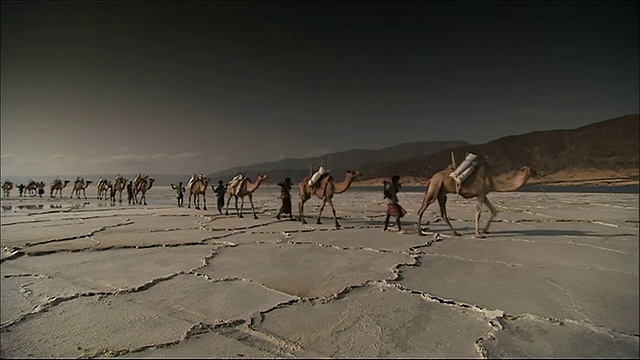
(605, 153)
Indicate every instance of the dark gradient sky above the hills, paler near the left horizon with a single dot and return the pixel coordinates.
(183, 87)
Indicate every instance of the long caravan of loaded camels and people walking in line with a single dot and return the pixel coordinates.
(470, 179)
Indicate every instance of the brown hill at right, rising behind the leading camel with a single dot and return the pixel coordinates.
(602, 153)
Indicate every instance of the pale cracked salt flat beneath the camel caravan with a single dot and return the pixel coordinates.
(557, 277)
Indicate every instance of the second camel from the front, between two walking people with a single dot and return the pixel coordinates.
(324, 189)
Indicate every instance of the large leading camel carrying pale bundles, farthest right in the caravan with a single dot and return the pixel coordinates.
(478, 185)
